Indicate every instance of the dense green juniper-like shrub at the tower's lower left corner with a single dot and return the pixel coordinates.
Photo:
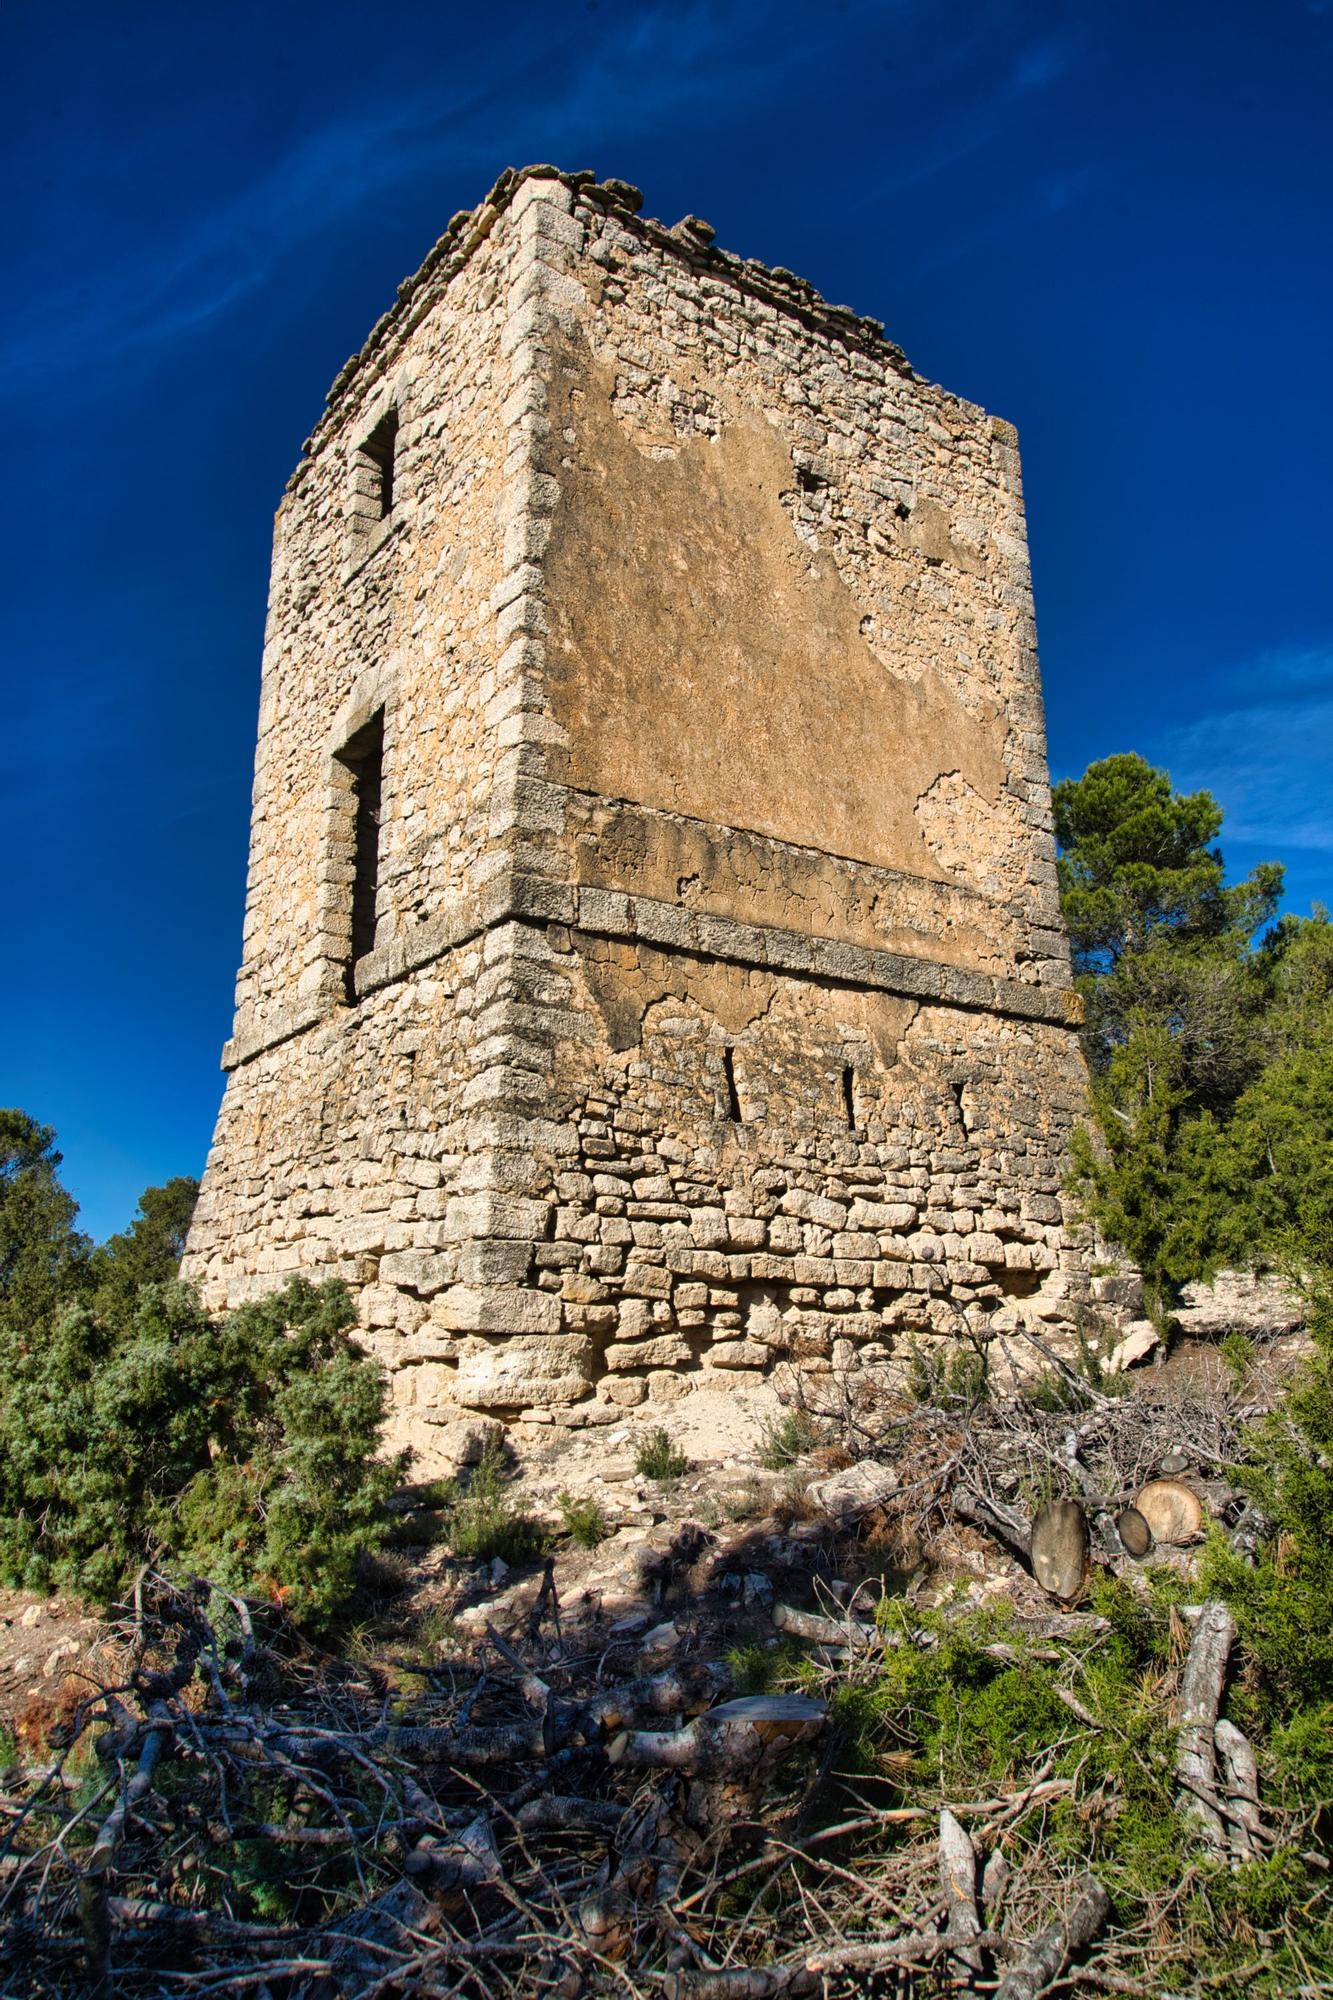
(241, 1451)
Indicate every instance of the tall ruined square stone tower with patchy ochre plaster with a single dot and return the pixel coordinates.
(651, 959)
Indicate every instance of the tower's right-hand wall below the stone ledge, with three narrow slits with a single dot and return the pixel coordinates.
(776, 1169)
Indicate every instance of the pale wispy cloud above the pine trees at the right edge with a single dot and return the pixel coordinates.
(1266, 751)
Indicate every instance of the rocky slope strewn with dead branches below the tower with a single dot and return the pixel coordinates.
(541, 1773)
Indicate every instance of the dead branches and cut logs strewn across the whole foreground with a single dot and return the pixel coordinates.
(235, 1813)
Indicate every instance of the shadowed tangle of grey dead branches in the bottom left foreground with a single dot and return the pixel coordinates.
(235, 1815)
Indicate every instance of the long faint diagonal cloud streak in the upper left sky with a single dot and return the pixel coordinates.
(653, 69)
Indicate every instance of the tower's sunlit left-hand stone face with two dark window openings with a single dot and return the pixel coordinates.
(343, 1129)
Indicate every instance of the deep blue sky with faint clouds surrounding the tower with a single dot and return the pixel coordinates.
(1110, 223)
